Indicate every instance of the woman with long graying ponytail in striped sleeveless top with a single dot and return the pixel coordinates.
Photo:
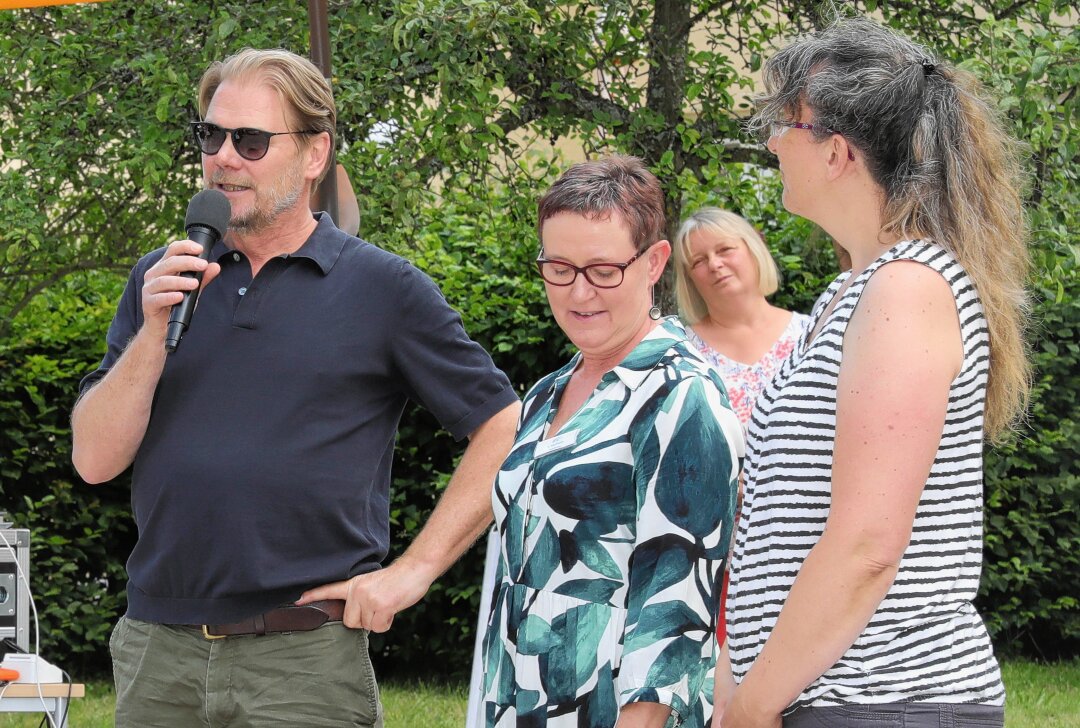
(859, 550)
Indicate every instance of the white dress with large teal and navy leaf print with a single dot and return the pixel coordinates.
(614, 534)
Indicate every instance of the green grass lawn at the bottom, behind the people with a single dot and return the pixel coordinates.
(1041, 696)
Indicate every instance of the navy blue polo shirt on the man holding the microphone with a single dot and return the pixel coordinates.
(265, 469)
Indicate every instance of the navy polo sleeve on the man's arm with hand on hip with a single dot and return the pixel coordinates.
(443, 370)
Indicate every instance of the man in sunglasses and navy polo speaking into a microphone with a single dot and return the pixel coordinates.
(262, 448)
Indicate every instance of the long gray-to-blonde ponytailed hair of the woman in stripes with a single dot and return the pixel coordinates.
(935, 143)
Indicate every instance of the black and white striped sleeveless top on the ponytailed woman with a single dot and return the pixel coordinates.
(926, 642)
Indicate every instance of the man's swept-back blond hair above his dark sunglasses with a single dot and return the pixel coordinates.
(307, 95)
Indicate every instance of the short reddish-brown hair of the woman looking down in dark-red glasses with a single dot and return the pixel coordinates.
(600, 187)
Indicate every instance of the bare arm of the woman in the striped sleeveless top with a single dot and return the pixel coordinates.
(901, 353)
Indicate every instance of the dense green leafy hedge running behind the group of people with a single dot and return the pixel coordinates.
(480, 249)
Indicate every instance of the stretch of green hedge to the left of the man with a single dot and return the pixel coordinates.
(80, 535)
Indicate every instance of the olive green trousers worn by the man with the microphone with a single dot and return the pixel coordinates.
(171, 677)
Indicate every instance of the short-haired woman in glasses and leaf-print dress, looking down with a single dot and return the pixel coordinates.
(614, 508)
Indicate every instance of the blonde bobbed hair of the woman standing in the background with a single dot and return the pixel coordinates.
(724, 224)
